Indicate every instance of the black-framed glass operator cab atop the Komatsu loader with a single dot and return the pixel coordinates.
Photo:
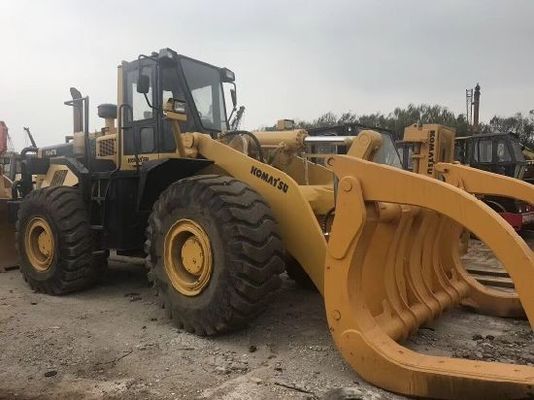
(151, 80)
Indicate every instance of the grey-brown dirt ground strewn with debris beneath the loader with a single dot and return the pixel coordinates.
(114, 342)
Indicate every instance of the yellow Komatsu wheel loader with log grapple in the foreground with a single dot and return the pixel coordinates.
(218, 212)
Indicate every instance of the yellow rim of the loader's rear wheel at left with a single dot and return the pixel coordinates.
(39, 244)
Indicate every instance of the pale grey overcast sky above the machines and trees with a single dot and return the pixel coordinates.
(293, 59)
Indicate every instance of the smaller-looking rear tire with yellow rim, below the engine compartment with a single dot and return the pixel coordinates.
(57, 217)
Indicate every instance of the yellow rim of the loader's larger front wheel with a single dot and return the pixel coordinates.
(187, 257)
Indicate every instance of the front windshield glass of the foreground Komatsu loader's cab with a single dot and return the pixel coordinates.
(205, 84)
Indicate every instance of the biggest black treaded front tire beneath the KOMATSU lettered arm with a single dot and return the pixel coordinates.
(245, 250)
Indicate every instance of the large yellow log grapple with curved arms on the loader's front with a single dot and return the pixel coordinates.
(393, 264)
